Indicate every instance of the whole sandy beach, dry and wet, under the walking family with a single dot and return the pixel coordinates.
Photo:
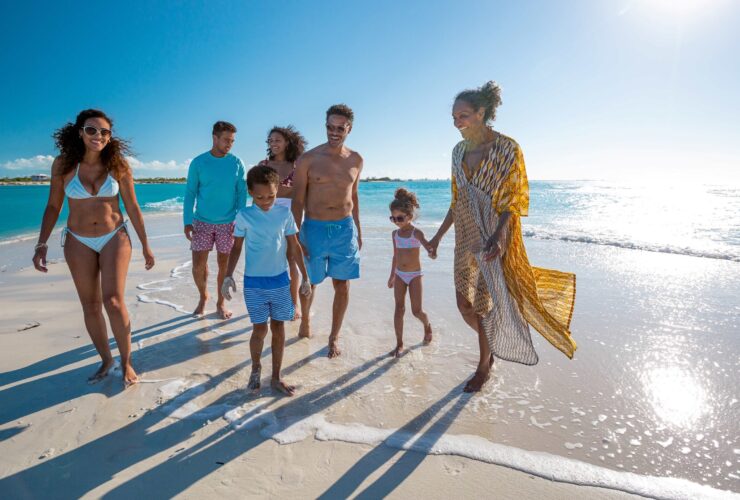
(598, 426)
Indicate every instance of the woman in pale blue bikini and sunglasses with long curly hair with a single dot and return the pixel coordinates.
(92, 172)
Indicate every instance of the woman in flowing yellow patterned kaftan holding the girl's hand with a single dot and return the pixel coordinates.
(499, 294)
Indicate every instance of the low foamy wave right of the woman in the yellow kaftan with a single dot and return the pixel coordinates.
(540, 234)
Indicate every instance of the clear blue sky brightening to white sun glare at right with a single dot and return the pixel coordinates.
(616, 89)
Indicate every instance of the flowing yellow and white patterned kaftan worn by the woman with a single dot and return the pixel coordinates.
(507, 292)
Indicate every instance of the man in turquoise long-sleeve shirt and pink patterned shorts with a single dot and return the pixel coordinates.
(215, 192)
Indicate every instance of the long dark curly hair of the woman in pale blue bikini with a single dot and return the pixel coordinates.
(72, 148)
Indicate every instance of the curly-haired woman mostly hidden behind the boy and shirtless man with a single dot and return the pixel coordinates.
(284, 146)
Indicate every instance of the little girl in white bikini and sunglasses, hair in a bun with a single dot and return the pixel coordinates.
(406, 267)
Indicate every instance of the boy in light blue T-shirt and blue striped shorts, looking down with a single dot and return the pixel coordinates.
(268, 232)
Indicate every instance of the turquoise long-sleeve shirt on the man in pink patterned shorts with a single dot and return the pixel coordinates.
(216, 188)
